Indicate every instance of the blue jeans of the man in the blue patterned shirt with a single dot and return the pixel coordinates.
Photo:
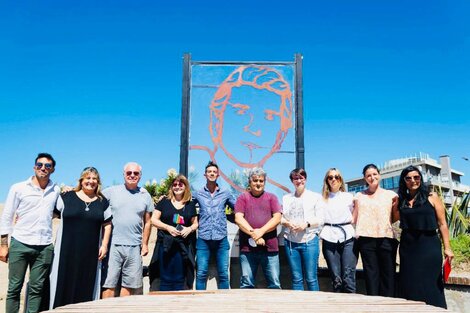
(221, 249)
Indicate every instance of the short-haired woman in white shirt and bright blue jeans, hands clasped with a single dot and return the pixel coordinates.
(302, 219)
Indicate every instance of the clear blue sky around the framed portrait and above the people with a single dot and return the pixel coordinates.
(99, 82)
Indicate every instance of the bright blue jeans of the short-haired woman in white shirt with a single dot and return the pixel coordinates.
(303, 261)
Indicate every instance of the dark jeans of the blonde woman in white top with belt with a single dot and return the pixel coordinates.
(341, 261)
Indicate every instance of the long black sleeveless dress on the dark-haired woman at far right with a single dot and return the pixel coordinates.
(421, 256)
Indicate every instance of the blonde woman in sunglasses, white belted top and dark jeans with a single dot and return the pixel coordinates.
(338, 233)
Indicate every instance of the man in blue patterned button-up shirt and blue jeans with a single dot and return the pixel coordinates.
(212, 232)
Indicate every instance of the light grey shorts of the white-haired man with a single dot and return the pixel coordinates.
(128, 260)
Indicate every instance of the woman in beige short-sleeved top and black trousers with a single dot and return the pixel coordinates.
(376, 243)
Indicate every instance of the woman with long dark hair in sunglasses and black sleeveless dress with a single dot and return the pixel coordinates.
(421, 214)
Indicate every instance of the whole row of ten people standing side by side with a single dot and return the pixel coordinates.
(193, 226)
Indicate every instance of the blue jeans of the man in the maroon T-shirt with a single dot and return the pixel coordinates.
(269, 261)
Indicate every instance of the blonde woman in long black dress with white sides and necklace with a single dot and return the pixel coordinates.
(81, 242)
